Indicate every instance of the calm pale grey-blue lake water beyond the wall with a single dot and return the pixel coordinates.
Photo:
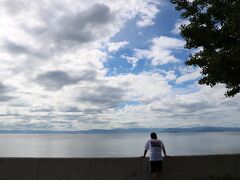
(115, 145)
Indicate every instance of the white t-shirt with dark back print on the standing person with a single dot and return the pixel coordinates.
(156, 146)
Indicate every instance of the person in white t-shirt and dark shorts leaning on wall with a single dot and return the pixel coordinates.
(156, 147)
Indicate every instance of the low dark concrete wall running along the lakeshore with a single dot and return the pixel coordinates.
(175, 168)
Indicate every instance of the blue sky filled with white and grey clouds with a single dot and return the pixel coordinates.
(102, 64)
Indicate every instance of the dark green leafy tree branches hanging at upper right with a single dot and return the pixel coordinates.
(214, 30)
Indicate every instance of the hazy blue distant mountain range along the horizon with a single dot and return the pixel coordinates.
(131, 130)
